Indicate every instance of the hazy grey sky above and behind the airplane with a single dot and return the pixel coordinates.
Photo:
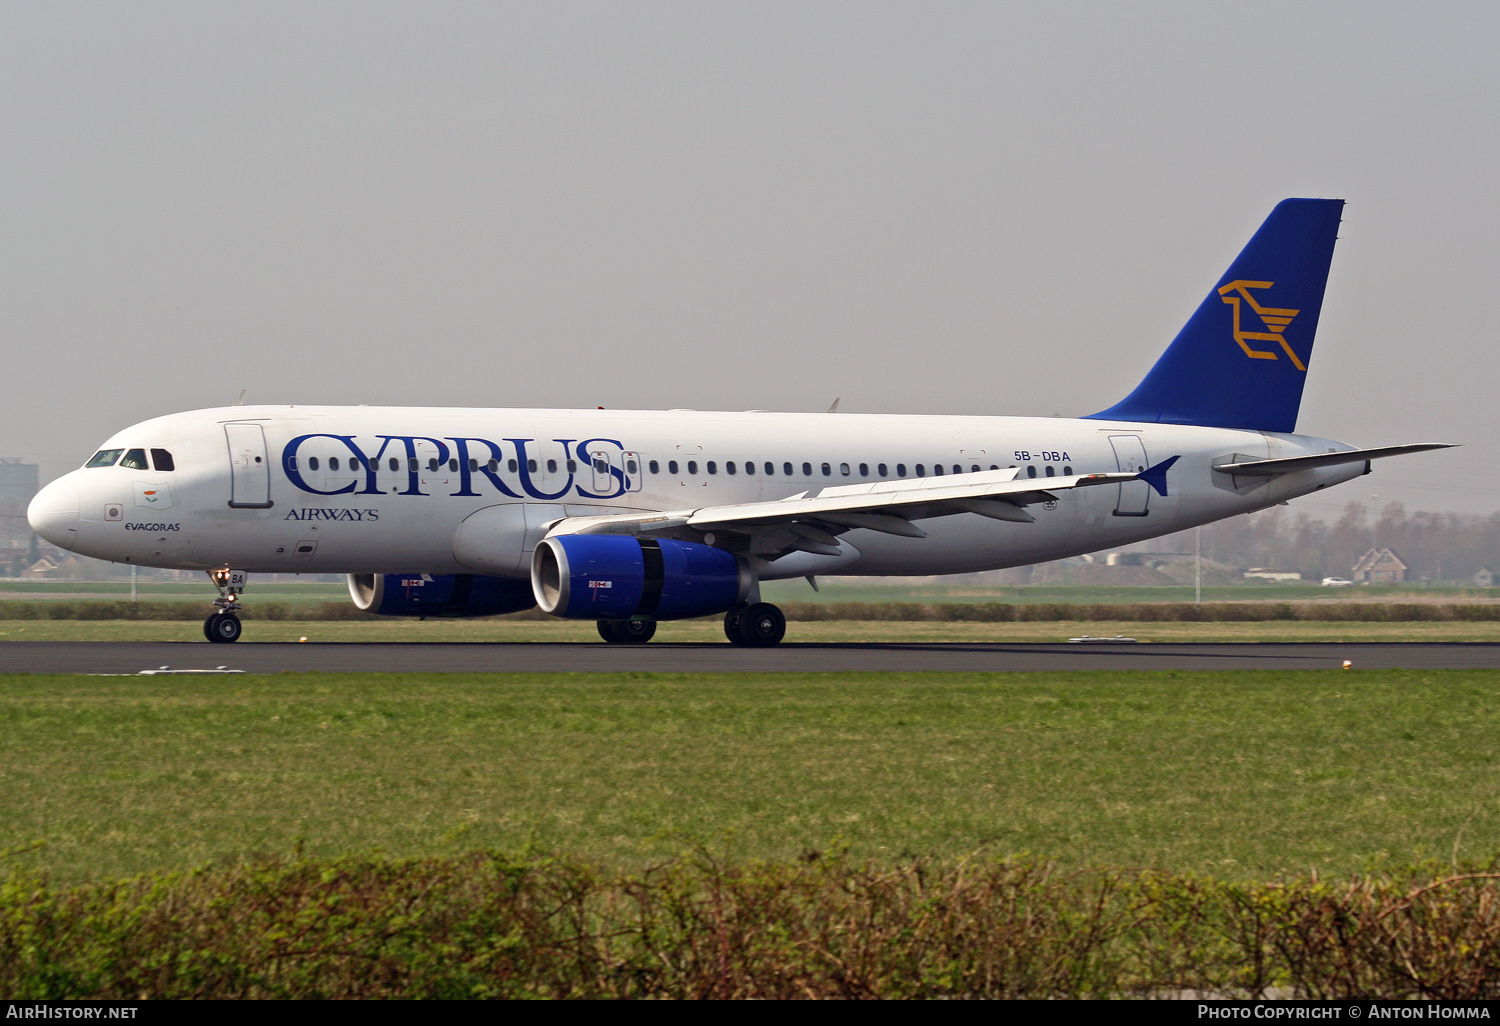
(920, 208)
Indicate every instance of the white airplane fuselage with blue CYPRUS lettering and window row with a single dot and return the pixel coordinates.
(382, 490)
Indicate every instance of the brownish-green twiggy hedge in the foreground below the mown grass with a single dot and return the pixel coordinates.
(493, 926)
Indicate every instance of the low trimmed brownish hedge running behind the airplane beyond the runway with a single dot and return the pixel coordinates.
(989, 613)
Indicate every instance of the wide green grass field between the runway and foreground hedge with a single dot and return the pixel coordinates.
(1240, 776)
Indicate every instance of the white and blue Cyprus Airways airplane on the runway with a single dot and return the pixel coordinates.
(631, 518)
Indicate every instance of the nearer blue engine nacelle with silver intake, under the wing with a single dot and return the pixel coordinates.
(616, 577)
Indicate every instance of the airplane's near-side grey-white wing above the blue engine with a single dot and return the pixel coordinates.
(812, 521)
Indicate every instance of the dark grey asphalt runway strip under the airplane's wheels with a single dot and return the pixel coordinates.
(404, 658)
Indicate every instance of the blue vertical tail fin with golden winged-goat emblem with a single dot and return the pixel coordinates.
(1243, 358)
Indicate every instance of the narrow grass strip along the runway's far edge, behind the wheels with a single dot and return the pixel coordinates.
(712, 631)
